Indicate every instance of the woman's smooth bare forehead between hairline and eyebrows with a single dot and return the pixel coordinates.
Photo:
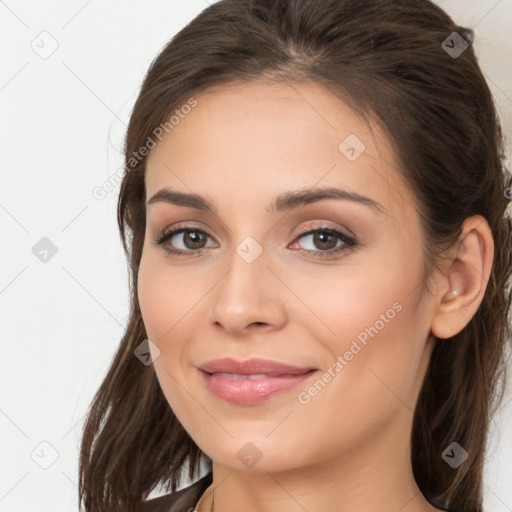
(259, 138)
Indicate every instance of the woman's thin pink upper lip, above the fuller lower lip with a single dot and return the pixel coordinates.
(253, 366)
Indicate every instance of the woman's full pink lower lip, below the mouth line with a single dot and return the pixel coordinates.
(249, 392)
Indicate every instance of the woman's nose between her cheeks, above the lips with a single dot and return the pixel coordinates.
(249, 296)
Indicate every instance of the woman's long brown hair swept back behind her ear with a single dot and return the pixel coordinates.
(387, 59)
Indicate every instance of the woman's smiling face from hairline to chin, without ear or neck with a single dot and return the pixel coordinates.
(253, 281)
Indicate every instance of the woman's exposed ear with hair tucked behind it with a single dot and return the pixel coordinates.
(462, 285)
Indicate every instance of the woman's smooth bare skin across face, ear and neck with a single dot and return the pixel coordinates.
(348, 448)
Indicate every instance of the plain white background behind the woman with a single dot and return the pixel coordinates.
(62, 124)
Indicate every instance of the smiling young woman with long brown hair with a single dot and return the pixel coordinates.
(315, 214)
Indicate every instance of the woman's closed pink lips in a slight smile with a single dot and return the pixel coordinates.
(280, 378)
